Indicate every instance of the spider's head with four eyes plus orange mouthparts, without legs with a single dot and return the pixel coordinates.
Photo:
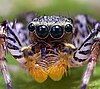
(49, 36)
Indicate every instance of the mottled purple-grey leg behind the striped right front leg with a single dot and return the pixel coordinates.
(81, 30)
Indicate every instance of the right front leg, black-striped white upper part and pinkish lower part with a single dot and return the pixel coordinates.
(88, 52)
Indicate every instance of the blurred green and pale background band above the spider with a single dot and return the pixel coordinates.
(9, 9)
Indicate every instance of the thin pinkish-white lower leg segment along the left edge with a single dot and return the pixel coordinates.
(3, 65)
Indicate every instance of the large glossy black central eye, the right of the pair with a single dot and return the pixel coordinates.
(56, 31)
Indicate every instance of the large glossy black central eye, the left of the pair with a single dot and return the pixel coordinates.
(42, 31)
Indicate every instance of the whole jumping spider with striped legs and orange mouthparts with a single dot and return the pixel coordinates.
(51, 45)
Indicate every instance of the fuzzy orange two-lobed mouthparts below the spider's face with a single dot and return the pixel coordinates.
(46, 63)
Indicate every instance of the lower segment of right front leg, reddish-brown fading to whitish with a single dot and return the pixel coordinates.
(91, 65)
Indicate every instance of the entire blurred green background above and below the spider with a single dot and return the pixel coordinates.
(9, 9)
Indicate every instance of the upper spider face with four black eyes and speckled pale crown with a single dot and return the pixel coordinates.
(51, 27)
